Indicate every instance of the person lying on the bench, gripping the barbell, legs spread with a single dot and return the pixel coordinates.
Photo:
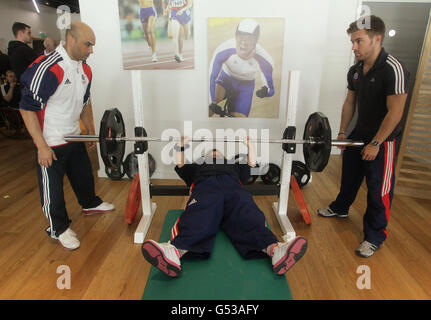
(217, 199)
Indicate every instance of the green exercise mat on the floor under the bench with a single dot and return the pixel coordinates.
(224, 276)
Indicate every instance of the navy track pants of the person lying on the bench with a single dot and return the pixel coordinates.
(220, 201)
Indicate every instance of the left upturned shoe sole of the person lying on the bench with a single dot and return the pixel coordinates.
(163, 256)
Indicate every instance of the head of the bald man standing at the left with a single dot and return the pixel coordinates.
(80, 40)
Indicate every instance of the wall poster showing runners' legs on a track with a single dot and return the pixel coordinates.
(157, 34)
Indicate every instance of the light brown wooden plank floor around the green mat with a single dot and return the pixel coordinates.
(108, 265)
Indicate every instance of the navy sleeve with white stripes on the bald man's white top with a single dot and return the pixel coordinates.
(40, 81)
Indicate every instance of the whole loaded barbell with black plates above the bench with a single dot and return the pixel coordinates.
(316, 141)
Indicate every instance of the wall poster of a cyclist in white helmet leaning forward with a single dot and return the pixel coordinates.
(245, 63)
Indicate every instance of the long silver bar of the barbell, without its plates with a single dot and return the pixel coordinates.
(95, 138)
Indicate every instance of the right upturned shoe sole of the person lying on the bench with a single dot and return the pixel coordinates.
(285, 255)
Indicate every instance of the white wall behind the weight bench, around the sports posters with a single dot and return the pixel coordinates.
(315, 43)
